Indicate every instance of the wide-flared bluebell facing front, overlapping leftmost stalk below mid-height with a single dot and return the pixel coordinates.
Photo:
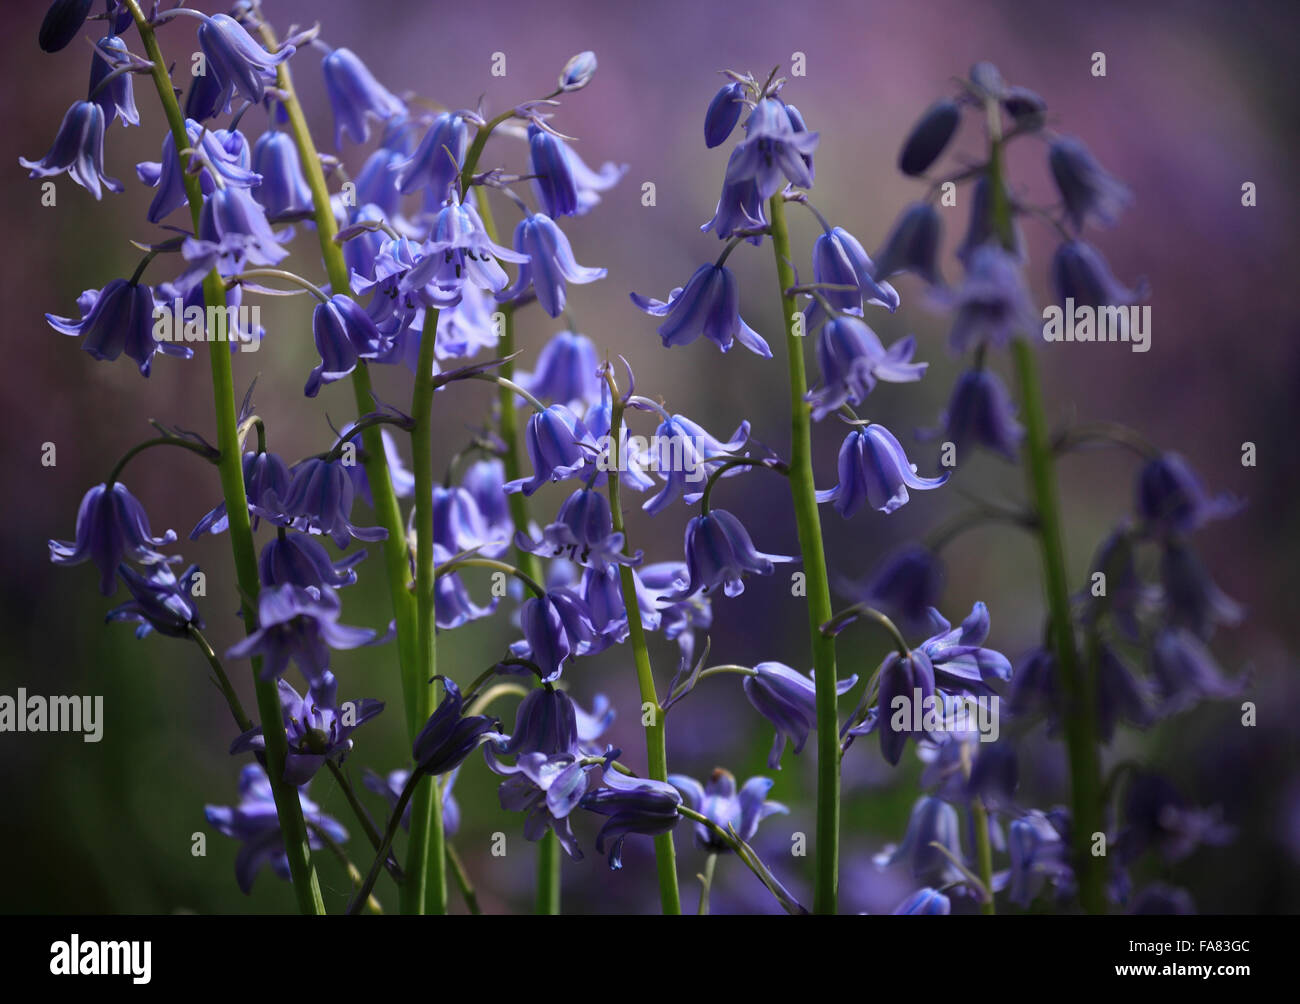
(301, 626)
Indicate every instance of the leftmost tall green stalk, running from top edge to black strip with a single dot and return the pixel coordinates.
(231, 465)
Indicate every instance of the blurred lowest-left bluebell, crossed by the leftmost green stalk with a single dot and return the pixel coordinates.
(257, 825)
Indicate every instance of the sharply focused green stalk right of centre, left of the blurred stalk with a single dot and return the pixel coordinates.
(809, 521)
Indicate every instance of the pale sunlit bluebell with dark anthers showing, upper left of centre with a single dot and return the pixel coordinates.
(458, 252)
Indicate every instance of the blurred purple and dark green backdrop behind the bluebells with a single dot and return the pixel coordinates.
(1198, 99)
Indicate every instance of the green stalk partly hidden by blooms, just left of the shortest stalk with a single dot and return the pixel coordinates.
(548, 902)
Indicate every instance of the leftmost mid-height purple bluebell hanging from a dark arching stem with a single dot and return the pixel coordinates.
(111, 526)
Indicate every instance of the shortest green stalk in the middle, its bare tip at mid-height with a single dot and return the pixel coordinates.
(657, 750)
